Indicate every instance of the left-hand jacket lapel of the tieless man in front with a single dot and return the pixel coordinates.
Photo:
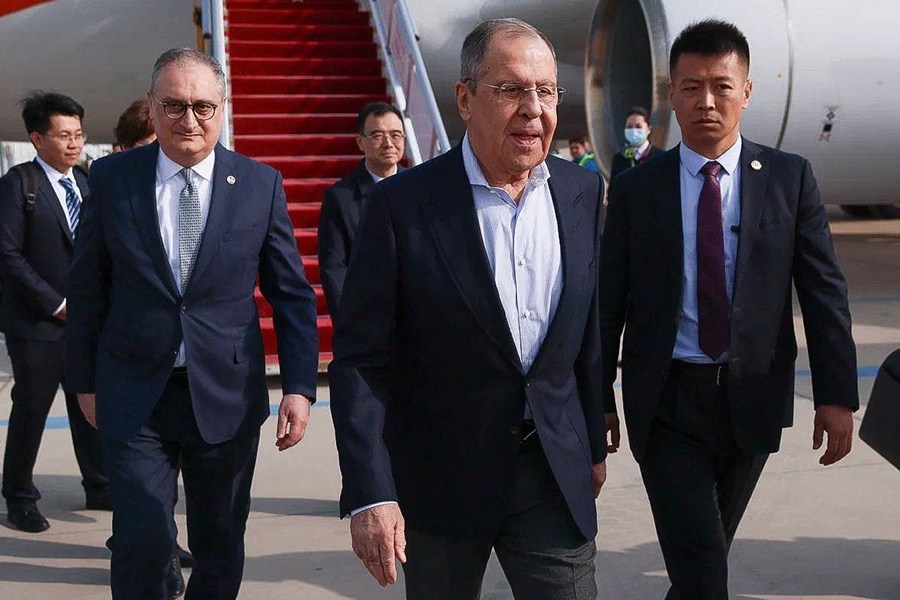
(450, 214)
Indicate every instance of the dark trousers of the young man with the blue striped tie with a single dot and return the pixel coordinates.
(38, 368)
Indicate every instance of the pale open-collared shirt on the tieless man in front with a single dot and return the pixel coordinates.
(522, 245)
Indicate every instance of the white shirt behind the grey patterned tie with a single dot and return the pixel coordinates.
(169, 184)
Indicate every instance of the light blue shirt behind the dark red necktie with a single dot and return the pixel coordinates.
(687, 344)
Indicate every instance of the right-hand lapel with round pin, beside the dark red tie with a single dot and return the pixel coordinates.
(753, 188)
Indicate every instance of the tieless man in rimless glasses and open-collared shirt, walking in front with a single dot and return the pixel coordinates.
(466, 382)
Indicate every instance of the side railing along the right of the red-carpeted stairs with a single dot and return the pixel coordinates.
(412, 91)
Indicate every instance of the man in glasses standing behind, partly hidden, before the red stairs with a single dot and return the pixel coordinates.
(380, 136)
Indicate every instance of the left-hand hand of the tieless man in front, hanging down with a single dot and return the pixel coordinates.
(378, 535)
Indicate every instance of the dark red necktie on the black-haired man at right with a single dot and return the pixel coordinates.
(712, 298)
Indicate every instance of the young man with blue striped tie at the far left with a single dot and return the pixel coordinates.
(36, 242)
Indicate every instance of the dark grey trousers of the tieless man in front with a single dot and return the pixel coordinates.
(541, 550)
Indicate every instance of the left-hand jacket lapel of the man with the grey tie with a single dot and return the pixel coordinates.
(142, 187)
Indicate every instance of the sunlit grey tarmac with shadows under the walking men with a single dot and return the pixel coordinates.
(810, 532)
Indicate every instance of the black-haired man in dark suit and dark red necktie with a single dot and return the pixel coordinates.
(699, 254)
